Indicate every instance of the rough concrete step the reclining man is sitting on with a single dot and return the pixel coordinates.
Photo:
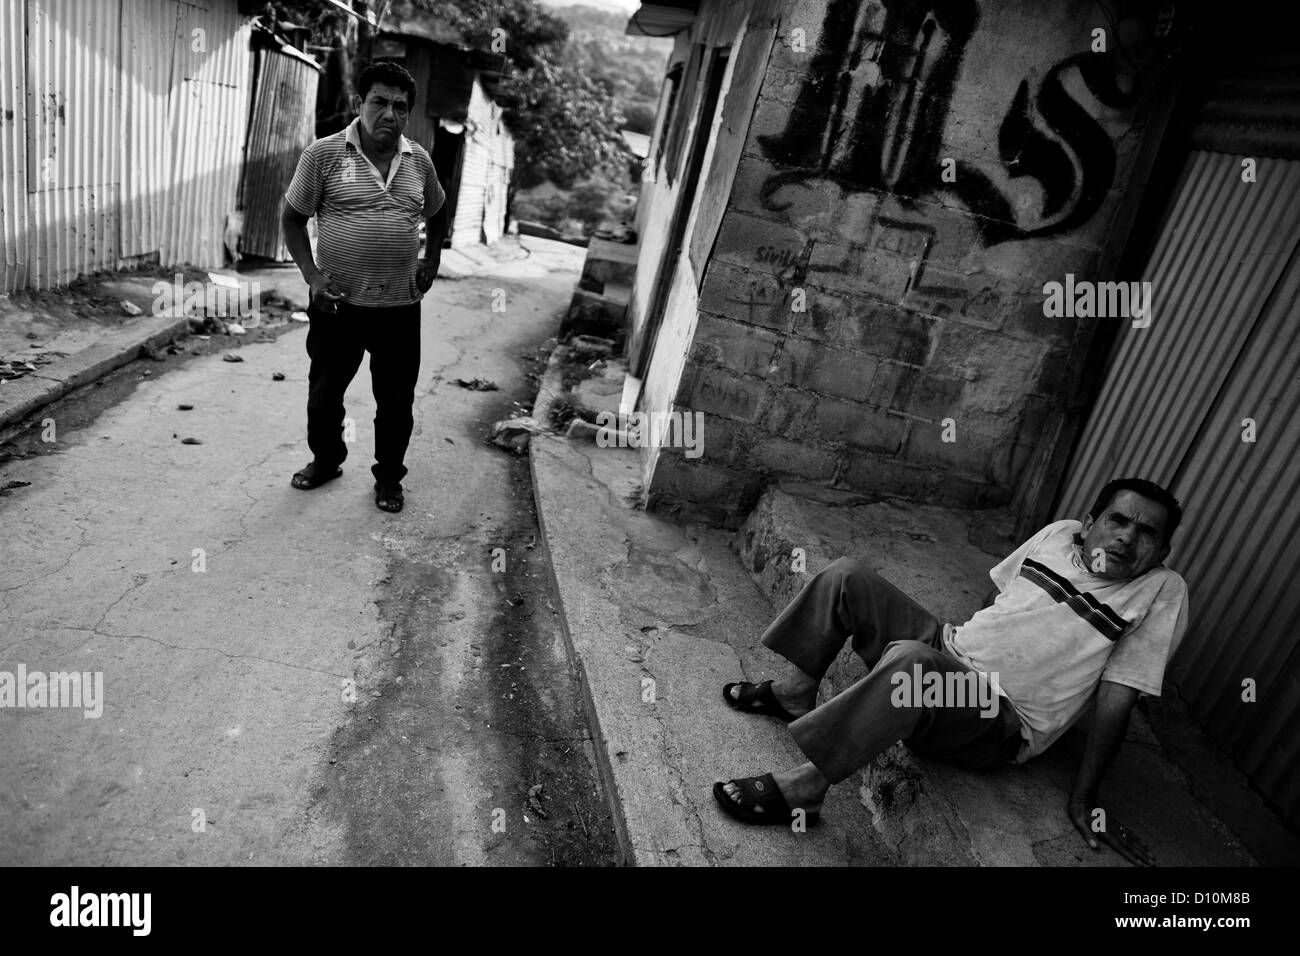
(930, 814)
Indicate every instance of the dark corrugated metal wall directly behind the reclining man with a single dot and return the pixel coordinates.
(1223, 348)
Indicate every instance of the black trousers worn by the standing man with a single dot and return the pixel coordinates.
(336, 344)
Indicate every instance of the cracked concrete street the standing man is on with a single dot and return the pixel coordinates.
(231, 616)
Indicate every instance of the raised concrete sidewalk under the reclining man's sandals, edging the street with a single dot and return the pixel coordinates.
(644, 599)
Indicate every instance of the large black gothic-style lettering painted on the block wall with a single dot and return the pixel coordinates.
(874, 111)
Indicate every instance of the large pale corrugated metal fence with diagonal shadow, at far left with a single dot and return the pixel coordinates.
(127, 136)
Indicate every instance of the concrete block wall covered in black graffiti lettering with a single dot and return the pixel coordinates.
(878, 276)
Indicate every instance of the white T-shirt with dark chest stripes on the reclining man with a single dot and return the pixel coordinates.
(1058, 629)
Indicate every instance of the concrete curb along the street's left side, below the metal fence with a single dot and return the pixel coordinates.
(54, 382)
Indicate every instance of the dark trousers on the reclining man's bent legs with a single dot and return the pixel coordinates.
(894, 635)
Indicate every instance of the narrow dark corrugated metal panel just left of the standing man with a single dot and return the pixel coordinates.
(283, 126)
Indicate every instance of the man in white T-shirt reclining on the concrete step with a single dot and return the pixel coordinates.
(1082, 613)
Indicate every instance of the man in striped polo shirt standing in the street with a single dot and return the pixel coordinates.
(369, 188)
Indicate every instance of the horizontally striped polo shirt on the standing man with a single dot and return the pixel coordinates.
(367, 228)
